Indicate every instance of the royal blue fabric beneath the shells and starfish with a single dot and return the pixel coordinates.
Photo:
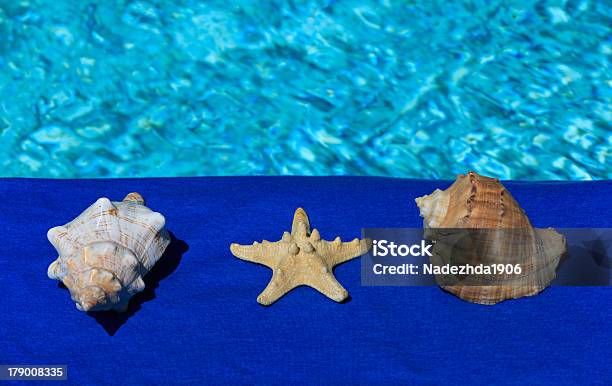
(198, 319)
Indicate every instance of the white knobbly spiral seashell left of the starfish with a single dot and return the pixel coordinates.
(105, 252)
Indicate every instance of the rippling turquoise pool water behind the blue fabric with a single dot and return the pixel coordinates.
(425, 89)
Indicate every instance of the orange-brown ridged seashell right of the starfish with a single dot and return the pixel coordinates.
(477, 221)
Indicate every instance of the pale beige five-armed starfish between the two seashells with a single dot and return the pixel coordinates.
(301, 258)
